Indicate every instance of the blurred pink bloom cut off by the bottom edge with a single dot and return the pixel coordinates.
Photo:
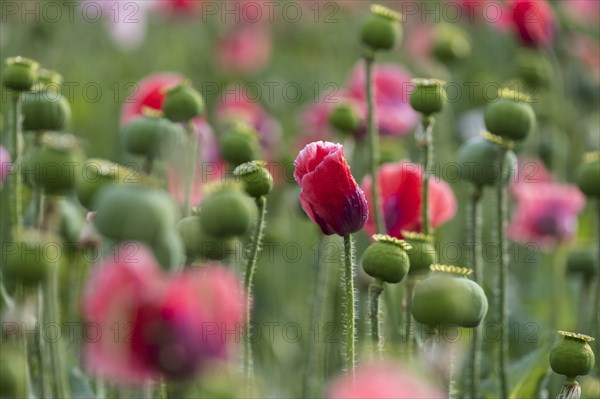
(382, 380)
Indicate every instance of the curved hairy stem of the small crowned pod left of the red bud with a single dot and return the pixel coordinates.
(261, 203)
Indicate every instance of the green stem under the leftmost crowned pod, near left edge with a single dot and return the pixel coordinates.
(16, 152)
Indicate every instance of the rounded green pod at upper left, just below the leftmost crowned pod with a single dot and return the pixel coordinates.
(45, 110)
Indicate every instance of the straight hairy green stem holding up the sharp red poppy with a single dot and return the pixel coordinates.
(350, 321)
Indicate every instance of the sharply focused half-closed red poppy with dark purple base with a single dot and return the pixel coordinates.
(329, 194)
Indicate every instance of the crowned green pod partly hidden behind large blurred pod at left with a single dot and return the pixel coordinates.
(97, 174)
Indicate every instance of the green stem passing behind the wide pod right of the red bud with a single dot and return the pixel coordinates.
(476, 265)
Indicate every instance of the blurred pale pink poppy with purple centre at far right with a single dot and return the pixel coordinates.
(546, 213)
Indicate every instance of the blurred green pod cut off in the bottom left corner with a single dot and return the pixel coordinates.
(13, 381)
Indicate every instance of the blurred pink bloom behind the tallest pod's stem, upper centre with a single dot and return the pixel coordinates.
(394, 115)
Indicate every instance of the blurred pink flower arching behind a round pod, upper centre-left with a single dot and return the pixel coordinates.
(237, 105)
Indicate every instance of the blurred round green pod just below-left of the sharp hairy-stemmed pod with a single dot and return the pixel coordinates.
(226, 213)
